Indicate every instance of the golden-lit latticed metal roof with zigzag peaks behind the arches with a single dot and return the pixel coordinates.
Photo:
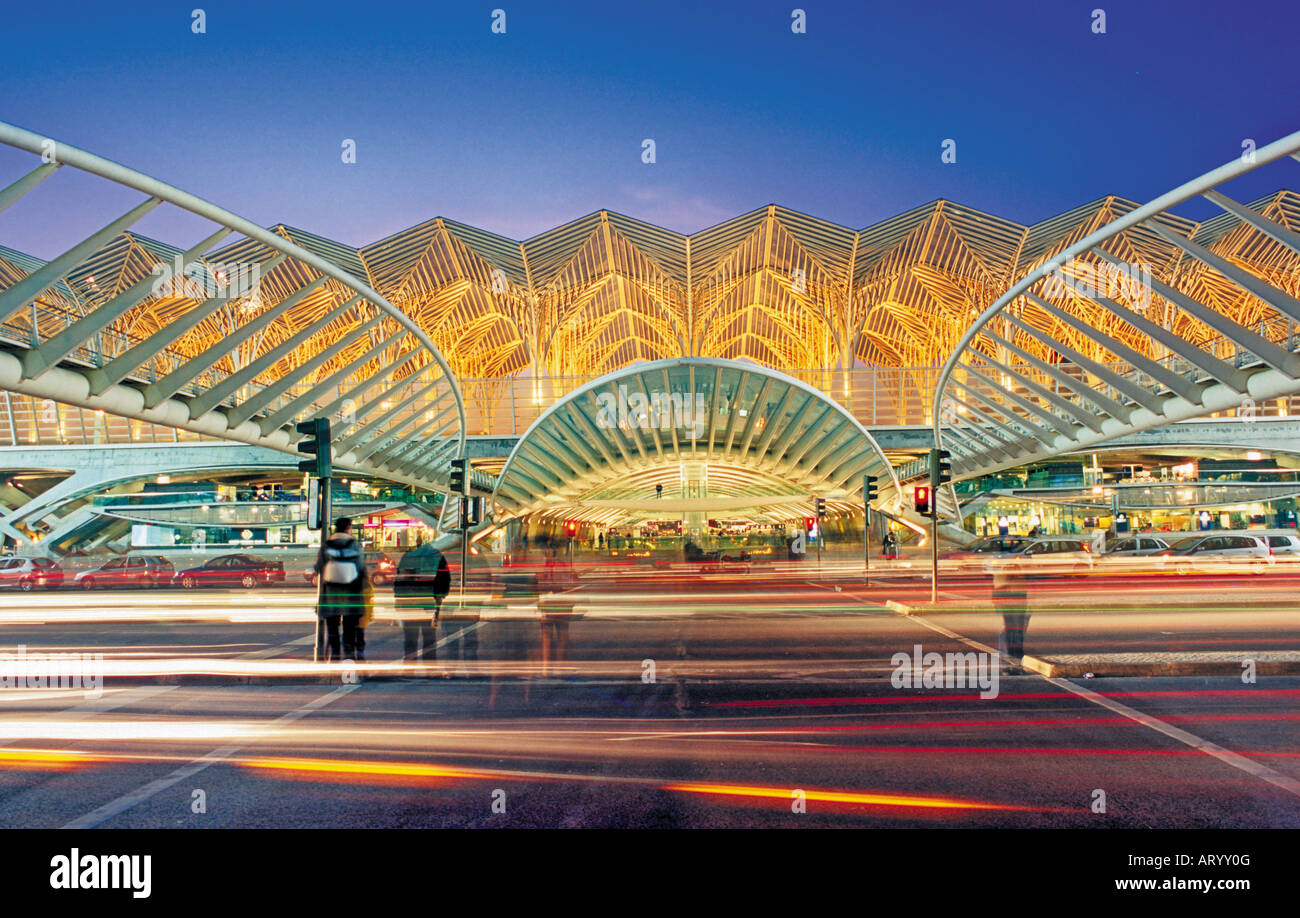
(777, 287)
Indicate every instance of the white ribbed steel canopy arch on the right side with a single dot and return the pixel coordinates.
(1013, 392)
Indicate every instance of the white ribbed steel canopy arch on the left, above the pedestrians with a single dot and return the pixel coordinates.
(398, 408)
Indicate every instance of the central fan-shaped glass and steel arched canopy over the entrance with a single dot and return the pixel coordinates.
(747, 418)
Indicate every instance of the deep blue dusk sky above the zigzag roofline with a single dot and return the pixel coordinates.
(522, 132)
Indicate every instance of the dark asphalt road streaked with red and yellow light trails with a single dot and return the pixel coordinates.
(671, 700)
